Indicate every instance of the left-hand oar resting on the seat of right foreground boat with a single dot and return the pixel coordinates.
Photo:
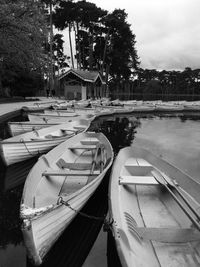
(162, 181)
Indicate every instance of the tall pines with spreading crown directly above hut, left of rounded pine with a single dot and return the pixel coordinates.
(85, 18)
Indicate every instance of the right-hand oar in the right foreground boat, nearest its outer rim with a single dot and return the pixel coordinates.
(176, 186)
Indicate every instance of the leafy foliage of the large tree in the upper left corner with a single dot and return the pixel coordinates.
(22, 33)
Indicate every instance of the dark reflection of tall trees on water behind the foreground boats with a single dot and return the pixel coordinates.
(119, 131)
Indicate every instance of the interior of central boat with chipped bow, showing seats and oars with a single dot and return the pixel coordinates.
(65, 177)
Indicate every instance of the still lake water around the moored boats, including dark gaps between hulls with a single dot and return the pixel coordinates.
(175, 138)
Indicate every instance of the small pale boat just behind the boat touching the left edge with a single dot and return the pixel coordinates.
(20, 127)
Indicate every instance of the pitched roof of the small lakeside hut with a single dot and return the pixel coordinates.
(87, 76)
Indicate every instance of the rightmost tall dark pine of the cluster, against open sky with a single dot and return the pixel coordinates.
(121, 56)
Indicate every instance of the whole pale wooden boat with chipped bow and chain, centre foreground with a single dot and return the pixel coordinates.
(47, 216)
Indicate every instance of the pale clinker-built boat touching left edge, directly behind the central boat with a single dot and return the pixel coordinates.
(28, 145)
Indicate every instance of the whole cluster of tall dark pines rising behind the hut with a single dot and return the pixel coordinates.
(104, 41)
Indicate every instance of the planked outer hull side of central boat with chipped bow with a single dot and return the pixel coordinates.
(58, 220)
